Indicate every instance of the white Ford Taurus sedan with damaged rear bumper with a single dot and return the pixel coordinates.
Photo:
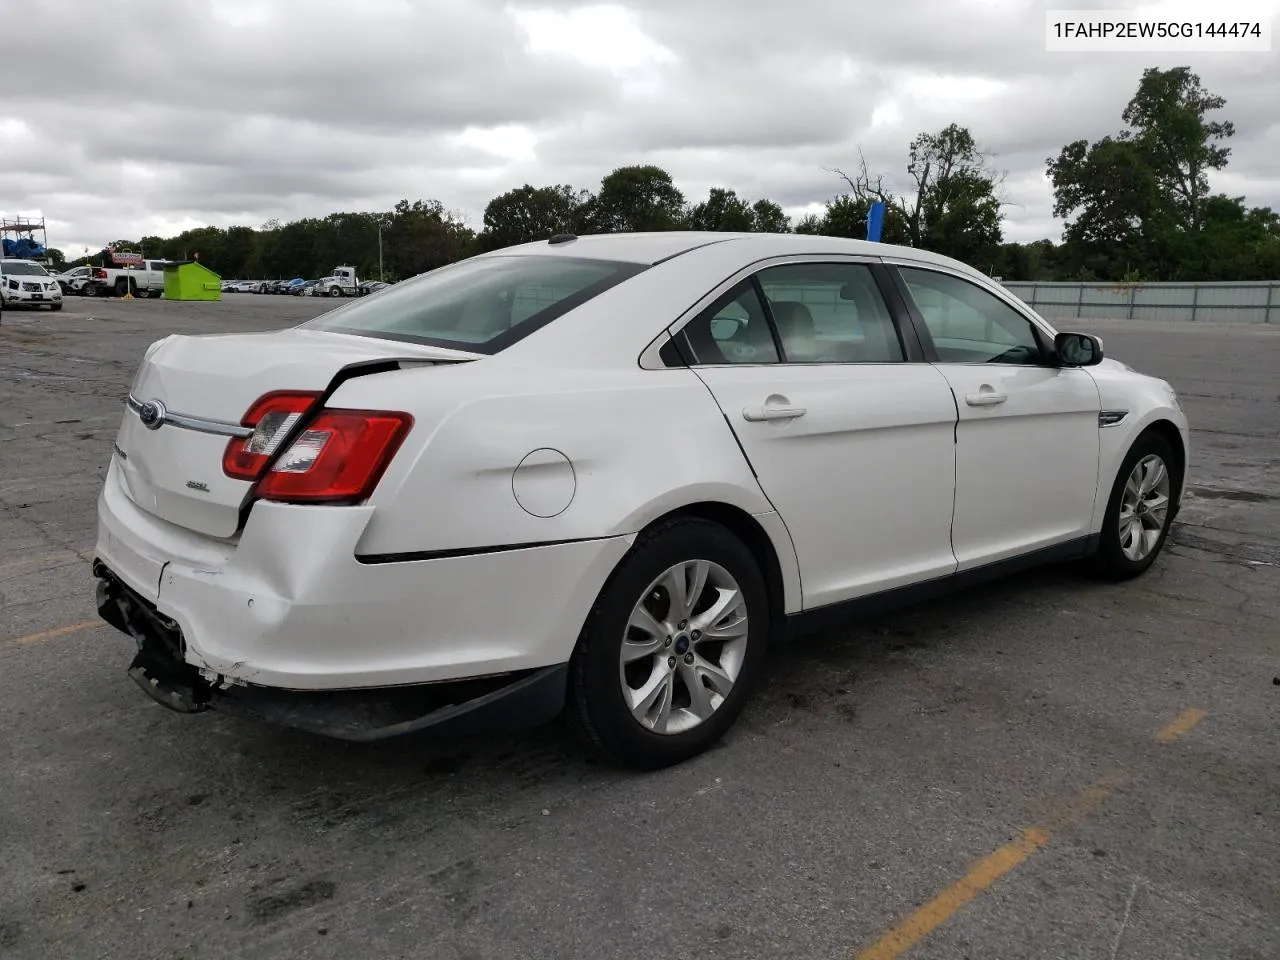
(606, 472)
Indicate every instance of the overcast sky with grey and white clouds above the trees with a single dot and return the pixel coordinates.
(132, 118)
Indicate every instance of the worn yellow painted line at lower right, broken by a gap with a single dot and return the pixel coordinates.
(1004, 860)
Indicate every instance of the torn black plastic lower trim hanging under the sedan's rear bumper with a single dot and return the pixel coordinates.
(506, 702)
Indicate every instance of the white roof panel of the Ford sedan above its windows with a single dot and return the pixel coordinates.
(660, 246)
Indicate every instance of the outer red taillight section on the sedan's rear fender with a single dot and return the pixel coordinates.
(339, 458)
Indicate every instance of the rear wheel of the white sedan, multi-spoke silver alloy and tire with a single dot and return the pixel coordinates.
(674, 646)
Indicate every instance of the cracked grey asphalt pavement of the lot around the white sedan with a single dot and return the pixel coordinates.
(1046, 767)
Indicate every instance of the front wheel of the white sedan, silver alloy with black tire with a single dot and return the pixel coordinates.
(1140, 513)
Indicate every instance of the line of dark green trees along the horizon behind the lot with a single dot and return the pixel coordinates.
(1137, 205)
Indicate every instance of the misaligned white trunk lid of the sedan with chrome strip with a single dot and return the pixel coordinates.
(176, 473)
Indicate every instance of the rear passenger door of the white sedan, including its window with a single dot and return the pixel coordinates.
(851, 437)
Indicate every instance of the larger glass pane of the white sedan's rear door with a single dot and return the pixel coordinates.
(831, 314)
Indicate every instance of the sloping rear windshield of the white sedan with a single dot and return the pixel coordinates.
(482, 305)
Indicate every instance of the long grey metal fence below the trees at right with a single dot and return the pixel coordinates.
(1256, 303)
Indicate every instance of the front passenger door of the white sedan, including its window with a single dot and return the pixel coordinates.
(1027, 444)
